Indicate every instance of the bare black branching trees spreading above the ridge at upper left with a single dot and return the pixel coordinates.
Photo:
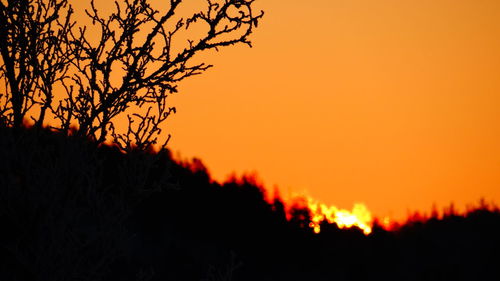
(140, 55)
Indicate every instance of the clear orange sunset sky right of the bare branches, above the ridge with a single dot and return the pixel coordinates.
(392, 103)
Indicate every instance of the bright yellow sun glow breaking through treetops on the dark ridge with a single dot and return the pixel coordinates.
(360, 216)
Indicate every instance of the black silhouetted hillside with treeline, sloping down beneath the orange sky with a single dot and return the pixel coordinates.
(70, 210)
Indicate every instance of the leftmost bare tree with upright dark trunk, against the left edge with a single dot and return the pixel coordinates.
(32, 58)
